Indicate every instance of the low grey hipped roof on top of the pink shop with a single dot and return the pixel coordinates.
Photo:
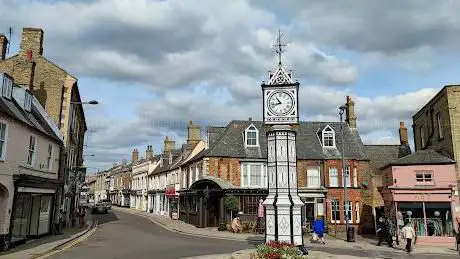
(422, 157)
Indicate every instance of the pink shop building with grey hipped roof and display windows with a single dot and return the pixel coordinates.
(421, 188)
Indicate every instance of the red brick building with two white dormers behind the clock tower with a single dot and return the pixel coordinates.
(234, 164)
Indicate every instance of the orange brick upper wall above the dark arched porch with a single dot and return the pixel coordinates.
(225, 168)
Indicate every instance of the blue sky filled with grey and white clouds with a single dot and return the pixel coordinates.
(155, 65)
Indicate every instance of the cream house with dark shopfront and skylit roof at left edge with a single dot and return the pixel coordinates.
(30, 162)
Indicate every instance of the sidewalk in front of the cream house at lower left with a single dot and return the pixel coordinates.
(45, 245)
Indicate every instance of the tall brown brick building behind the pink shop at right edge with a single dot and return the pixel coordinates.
(437, 124)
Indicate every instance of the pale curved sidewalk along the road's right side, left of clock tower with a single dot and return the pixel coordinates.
(184, 228)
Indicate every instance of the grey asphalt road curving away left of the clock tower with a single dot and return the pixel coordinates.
(122, 235)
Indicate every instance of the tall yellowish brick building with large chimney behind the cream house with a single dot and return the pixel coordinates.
(57, 91)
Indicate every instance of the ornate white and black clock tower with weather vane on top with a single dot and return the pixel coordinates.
(281, 117)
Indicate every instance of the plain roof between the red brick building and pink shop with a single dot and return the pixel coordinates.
(381, 155)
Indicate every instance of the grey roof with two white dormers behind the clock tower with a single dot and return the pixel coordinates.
(229, 142)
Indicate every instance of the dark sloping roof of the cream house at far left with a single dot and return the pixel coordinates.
(32, 119)
